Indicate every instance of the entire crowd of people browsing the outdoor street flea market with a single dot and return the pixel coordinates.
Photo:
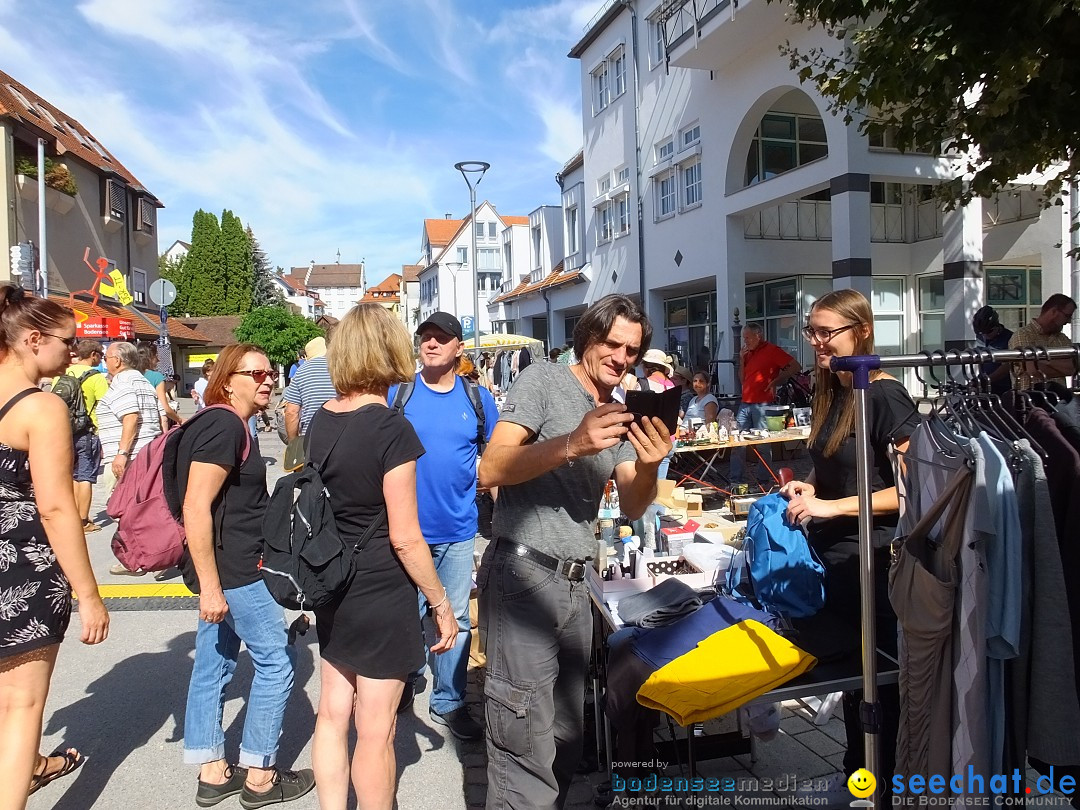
(404, 440)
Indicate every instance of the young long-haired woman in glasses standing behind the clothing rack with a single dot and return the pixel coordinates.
(842, 325)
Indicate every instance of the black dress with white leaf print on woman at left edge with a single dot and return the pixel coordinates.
(35, 596)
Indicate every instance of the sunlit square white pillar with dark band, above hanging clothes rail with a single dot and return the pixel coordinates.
(963, 271)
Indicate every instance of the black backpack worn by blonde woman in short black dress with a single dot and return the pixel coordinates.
(306, 564)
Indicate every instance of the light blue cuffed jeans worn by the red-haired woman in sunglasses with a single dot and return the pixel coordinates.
(255, 619)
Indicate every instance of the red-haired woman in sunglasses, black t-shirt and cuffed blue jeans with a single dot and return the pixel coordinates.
(225, 497)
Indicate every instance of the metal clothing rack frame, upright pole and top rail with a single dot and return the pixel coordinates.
(860, 367)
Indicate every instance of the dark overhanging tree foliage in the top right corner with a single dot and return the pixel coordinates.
(996, 84)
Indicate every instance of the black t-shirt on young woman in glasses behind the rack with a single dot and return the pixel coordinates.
(893, 417)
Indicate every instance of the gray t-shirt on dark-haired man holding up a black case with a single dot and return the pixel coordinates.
(556, 512)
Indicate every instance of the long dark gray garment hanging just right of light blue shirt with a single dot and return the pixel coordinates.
(1045, 712)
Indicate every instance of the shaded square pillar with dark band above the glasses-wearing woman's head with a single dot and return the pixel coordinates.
(852, 233)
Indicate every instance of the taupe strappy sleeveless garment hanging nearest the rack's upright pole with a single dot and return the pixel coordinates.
(923, 584)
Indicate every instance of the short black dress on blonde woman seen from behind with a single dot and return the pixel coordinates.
(374, 630)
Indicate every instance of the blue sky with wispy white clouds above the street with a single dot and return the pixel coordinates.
(326, 126)
